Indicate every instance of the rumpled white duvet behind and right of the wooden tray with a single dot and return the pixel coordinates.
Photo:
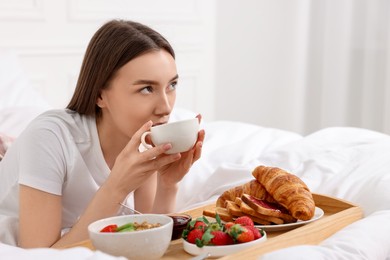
(348, 163)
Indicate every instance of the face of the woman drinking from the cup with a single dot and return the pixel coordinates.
(143, 89)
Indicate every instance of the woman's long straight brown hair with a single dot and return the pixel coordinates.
(112, 46)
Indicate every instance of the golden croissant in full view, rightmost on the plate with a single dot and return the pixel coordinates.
(288, 190)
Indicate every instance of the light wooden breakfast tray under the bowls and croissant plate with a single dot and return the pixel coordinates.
(337, 214)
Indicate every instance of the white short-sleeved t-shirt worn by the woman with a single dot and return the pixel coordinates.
(59, 153)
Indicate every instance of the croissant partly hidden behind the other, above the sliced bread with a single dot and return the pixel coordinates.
(253, 188)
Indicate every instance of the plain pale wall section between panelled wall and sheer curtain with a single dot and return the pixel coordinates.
(260, 52)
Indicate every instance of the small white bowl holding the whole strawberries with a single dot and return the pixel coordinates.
(219, 251)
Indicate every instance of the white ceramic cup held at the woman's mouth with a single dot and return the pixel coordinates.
(182, 135)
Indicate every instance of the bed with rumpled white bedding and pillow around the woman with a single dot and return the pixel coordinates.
(344, 162)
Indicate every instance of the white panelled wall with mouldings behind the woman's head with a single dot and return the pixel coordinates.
(50, 37)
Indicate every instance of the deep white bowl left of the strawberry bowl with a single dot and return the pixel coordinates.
(143, 244)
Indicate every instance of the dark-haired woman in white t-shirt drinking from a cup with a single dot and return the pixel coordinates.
(71, 167)
